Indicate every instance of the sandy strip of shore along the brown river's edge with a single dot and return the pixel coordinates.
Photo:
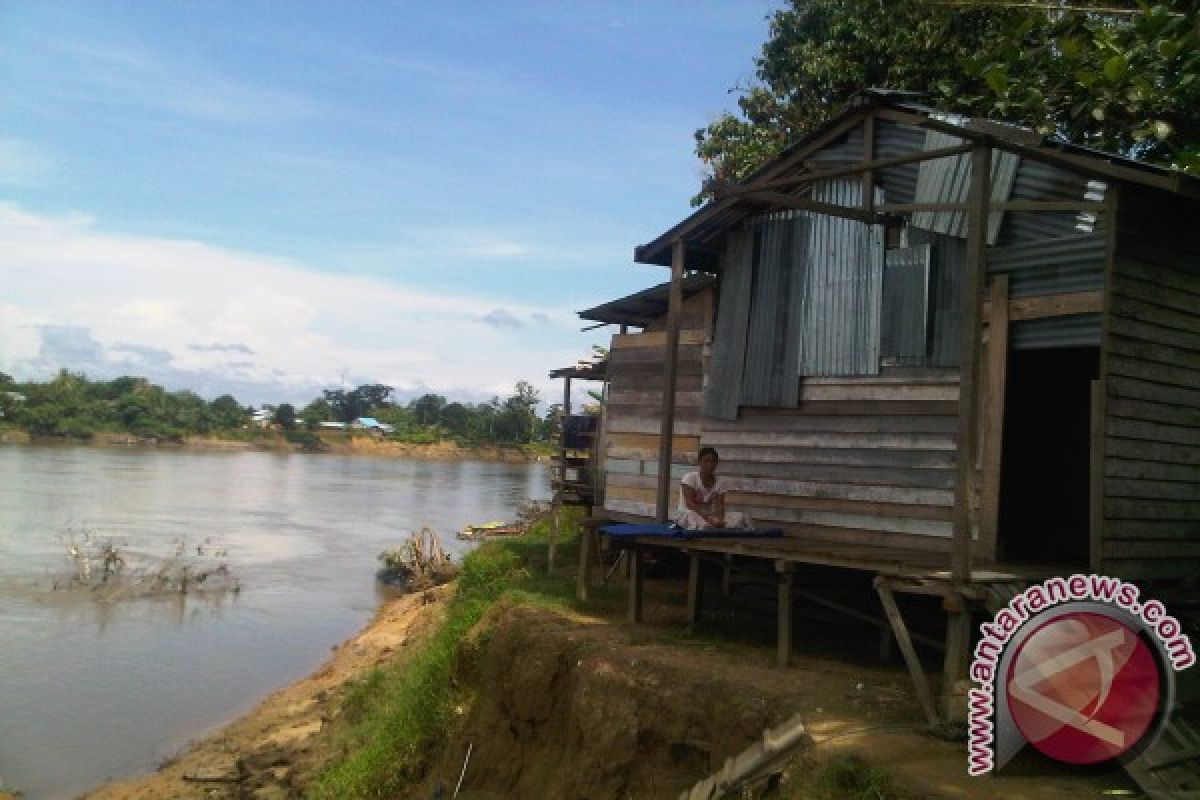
(278, 749)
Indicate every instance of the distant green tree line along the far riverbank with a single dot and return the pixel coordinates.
(73, 406)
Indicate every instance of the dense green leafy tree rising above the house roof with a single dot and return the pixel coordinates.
(1124, 80)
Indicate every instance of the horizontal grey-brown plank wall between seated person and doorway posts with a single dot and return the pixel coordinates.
(862, 460)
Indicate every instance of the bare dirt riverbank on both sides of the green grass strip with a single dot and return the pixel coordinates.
(577, 707)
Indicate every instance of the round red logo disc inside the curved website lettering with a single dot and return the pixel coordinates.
(1084, 688)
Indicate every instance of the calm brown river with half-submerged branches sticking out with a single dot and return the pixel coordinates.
(92, 691)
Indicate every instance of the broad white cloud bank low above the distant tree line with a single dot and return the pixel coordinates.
(194, 316)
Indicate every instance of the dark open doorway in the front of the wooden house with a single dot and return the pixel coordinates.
(1045, 479)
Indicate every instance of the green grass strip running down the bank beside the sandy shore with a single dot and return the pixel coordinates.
(398, 714)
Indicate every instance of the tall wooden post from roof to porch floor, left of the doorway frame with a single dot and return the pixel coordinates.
(969, 363)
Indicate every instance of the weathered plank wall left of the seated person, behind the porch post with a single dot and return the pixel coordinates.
(634, 417)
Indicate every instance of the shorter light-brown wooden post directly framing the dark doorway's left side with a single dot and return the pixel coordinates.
(994, 417)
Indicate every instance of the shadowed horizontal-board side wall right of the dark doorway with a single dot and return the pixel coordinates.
(1151, 483)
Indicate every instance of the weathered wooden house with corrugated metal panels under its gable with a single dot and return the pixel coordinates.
(923, 339)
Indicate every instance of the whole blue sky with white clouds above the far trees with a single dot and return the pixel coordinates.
(272, 199)
